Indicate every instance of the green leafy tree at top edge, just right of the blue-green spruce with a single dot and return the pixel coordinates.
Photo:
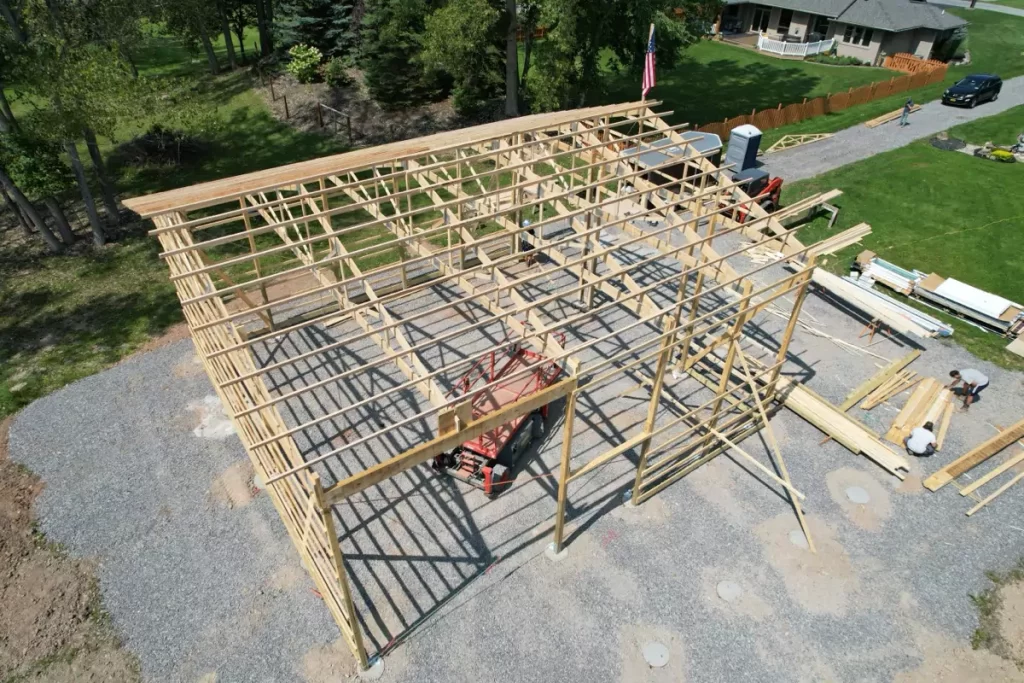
(392, 39)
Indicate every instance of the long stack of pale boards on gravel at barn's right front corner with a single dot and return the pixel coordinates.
(844, 430)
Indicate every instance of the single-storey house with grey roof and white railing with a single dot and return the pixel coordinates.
(868, 30)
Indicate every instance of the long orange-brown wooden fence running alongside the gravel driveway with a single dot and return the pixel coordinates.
(784, 116)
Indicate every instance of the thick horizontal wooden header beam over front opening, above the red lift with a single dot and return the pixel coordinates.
(424, 452)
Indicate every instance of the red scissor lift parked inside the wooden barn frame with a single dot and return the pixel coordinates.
(488, 462)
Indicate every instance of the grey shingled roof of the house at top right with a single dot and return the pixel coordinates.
(882, 15)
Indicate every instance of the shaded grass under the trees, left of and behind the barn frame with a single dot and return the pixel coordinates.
(69, 317)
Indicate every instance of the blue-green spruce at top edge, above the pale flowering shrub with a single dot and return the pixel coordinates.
(325, 25)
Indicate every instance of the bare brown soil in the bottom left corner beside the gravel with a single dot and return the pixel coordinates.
(53, 627)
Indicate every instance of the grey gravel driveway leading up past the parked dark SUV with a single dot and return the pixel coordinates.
(860, 143)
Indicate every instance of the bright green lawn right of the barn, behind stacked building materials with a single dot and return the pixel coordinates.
(941, 212)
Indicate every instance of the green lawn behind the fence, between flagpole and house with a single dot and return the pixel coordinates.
(715, 81)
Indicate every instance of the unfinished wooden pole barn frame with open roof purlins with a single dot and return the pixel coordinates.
(538, 226)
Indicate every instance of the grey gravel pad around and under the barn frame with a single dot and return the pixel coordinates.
(199, 577)
